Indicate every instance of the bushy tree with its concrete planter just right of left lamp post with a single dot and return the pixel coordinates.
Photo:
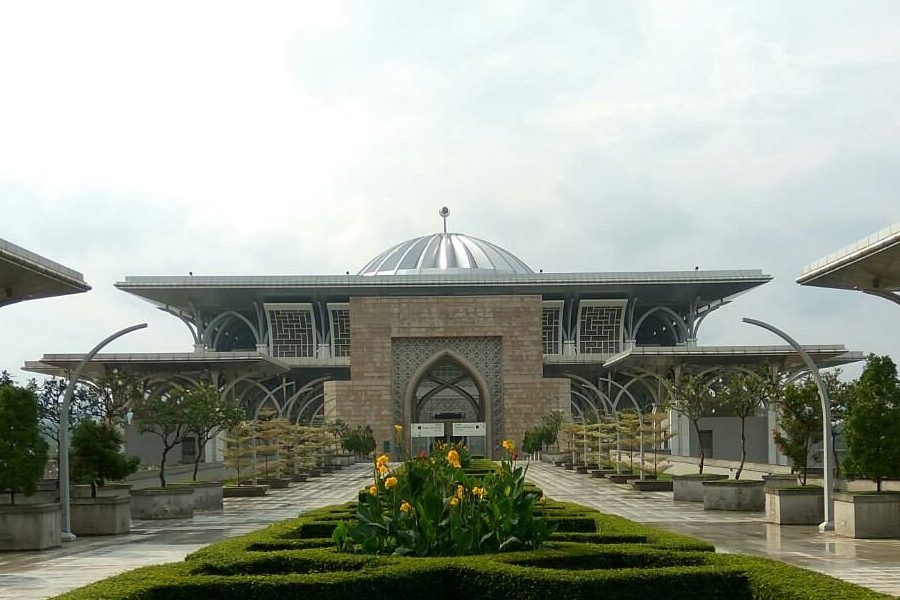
(95, 459)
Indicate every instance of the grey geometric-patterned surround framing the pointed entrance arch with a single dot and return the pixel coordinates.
(483, 353)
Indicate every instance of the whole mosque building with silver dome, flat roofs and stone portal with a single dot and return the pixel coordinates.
(452, 336)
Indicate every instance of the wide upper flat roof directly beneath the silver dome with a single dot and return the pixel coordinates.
(242, 291)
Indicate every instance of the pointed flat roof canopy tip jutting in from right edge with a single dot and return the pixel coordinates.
(871, 263)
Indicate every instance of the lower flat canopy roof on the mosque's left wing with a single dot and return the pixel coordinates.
(146, 363)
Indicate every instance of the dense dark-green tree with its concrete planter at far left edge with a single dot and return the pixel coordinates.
(23, 455)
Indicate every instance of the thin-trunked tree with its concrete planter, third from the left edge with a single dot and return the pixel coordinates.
(163, 416)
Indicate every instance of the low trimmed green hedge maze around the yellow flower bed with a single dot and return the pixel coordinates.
(592, 555)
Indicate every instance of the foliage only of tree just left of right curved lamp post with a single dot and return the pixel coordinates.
(800, 421)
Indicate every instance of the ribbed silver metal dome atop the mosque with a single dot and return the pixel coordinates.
(445, 253)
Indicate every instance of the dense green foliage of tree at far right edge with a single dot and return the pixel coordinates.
(873, 422)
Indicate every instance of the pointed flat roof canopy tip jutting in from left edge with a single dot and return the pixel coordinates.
(25, 275)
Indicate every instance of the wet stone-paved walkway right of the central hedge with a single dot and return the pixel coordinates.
(871, 563)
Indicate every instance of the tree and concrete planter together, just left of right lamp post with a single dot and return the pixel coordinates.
(800, 426)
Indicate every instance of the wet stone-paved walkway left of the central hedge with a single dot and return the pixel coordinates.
(38, 575)
